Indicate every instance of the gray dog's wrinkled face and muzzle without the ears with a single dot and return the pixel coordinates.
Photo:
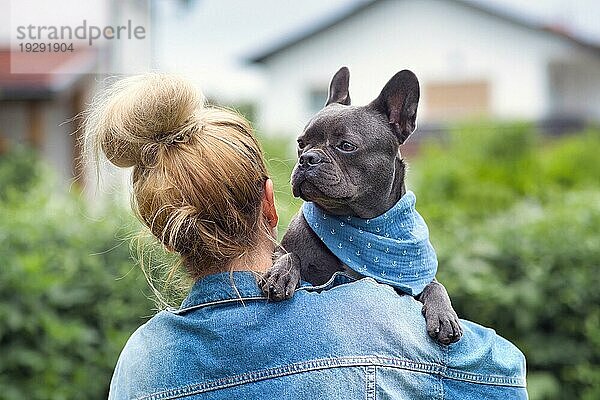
(346, 156)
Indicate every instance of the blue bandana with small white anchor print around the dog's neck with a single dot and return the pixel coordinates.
(392, 248)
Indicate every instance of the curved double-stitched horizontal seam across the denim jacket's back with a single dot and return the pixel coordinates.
(327, 363)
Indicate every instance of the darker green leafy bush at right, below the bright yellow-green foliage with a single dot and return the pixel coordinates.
(531, 273)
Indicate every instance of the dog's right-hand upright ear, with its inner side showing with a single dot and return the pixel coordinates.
(398, 101)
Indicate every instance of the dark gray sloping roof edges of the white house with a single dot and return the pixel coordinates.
(357, 8)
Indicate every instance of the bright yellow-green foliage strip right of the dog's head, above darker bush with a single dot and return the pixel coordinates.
(485, 168)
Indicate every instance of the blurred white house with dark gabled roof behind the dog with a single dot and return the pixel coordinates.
(472, 61)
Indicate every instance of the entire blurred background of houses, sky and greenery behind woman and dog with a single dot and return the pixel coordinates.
(505, 163)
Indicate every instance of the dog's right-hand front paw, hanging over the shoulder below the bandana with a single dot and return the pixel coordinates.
(441, 319)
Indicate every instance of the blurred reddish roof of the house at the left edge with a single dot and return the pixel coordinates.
(40, 76)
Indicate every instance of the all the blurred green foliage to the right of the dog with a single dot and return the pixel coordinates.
(514, 219)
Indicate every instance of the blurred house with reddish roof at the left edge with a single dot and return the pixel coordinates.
(35, 108)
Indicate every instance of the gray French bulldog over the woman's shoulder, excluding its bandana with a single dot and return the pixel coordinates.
(349, 164)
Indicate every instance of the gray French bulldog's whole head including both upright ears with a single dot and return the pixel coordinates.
(348, 157)
